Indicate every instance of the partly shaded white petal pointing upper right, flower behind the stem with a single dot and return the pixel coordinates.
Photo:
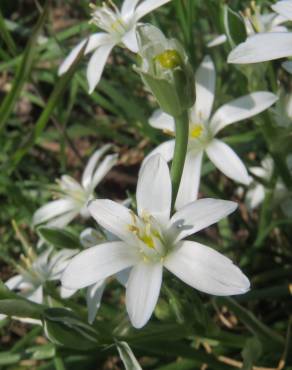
(242, 108)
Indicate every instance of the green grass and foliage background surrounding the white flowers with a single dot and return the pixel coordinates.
(49, 126)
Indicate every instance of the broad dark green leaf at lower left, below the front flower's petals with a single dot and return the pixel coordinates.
(65, 328)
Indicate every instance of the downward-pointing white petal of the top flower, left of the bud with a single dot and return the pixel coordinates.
(96, 65)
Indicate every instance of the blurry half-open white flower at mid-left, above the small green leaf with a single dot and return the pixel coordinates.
(74, 196)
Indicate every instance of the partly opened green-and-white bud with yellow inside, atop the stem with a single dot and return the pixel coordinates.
(165, 70)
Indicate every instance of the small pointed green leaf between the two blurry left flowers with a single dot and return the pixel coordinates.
(58, 237)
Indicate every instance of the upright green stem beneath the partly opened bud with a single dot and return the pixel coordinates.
(180, 151)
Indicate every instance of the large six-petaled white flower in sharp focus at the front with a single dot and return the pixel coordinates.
(153, 239)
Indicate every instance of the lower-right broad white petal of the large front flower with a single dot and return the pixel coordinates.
(207, 270)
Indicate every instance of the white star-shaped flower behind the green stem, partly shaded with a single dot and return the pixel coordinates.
(203, 129)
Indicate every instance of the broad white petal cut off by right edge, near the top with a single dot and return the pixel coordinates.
(262, 47)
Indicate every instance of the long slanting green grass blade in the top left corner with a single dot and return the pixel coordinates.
(23, 71)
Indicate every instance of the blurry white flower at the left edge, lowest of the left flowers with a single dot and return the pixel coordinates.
(36, 271)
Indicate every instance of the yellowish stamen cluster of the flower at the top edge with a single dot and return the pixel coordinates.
(108, 18)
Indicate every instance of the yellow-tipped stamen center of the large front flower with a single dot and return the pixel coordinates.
(150, 238)
